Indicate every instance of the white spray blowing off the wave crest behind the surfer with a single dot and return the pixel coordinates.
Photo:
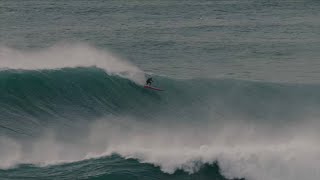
(69, 55)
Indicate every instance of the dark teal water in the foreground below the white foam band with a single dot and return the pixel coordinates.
(112, 167)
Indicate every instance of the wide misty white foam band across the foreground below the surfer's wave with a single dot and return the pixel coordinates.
(176, 146)
